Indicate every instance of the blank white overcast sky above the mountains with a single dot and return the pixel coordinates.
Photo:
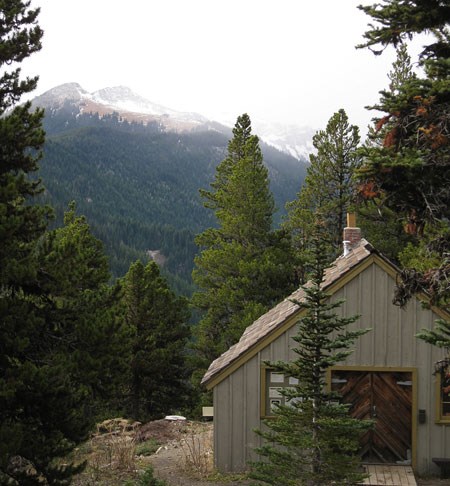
(287, 61)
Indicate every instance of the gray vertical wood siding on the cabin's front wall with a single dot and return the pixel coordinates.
(391, 343)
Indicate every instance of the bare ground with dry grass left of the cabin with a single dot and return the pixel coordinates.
(182, 454)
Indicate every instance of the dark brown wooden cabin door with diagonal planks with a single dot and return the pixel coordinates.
(386, 398)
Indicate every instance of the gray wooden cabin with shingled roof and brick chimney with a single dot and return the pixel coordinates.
(392, 377)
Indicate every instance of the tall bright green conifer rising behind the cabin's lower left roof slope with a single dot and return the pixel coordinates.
(244, 266)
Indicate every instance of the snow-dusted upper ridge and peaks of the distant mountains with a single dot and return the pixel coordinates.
(291, 139)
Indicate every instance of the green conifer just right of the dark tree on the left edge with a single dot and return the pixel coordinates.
(74, 274)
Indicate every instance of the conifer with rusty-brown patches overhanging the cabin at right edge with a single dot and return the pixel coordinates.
(409, 172)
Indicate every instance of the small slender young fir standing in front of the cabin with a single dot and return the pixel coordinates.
(312, 440)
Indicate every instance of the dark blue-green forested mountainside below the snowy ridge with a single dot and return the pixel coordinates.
(139, 185)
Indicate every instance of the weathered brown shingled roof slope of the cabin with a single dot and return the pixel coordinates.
(275, 317)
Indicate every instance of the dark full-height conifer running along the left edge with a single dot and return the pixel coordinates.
(43, 403)
